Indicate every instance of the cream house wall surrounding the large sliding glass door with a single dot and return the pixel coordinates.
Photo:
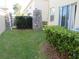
(59, 3)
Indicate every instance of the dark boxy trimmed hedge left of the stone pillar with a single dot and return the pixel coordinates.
(23, 22)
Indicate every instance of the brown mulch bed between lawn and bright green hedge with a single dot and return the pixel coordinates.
(52, 53)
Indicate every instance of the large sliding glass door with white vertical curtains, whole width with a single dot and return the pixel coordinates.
(67, 16)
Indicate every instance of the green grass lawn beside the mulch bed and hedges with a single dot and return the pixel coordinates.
(22, 44)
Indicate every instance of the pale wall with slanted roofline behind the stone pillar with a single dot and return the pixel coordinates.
(42, 5)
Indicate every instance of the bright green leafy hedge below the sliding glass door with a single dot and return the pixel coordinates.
(63, 40)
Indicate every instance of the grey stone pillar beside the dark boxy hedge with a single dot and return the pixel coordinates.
(37, 20)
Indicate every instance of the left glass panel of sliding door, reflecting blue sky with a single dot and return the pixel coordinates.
(64, 12)
